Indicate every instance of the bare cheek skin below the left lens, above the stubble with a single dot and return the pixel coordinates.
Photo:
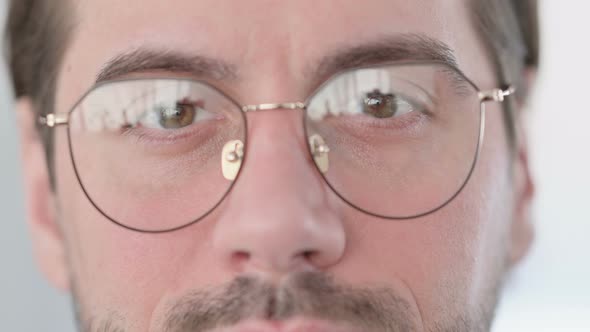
(114, 268)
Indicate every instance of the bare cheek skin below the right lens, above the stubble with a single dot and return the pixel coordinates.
(450, 260)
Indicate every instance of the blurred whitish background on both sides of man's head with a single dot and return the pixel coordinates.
(549, 292)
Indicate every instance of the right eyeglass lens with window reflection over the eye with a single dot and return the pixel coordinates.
(402, 139)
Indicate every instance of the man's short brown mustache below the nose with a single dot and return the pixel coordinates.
(308, 294)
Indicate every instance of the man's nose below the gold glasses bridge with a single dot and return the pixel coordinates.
(278, 218)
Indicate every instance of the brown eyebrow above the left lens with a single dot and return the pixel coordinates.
(145, 60)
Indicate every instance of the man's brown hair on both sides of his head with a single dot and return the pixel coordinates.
(38, 31)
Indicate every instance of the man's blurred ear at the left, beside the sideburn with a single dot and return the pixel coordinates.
(48, 243)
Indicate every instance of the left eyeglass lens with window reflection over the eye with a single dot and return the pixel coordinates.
(147, 152)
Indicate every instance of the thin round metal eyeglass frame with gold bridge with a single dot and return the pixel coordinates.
(54, 120)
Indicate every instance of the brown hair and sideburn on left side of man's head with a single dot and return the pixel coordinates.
(37, 32)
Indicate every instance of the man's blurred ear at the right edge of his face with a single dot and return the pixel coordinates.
(522, 231)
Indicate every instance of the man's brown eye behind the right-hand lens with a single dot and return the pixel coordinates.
(382, 106)
